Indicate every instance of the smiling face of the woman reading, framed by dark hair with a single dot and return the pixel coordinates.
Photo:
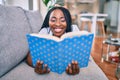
(57, 23)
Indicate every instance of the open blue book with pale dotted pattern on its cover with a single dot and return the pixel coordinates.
(59, 52)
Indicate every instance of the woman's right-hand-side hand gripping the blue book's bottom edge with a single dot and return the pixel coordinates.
(73, 68)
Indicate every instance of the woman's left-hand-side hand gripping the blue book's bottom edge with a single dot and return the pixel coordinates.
(40, 68)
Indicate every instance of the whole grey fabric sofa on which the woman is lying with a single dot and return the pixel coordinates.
(15, 23)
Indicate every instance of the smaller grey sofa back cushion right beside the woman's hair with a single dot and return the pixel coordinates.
(35, 20)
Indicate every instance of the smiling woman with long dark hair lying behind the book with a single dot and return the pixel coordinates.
(57, 22)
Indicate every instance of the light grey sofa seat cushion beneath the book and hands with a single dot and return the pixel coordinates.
(25, 72)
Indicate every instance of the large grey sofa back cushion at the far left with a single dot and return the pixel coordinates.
(13, 29)
